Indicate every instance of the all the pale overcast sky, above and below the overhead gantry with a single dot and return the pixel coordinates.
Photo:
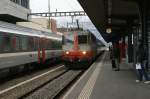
(38, 6)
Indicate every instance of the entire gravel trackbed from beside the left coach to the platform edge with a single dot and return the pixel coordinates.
(44, 85)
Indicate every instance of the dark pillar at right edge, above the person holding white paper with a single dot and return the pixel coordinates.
(143, 6)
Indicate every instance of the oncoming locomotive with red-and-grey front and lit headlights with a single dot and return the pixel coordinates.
(80, 48)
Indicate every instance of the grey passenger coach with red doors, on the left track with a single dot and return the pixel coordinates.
(20, 45)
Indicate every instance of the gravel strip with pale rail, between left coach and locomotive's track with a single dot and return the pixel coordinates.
(22, 88)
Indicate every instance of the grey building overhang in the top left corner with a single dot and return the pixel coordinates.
(13, 11)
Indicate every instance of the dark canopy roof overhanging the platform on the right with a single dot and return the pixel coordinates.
(114, 14)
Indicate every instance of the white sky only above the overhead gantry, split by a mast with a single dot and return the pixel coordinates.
(60, 5)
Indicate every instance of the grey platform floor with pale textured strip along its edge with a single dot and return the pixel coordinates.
(101, 82)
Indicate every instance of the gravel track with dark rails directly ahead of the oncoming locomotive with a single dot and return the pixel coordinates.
(53, 88)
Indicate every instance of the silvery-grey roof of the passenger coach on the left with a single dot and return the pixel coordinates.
(16, 29)
